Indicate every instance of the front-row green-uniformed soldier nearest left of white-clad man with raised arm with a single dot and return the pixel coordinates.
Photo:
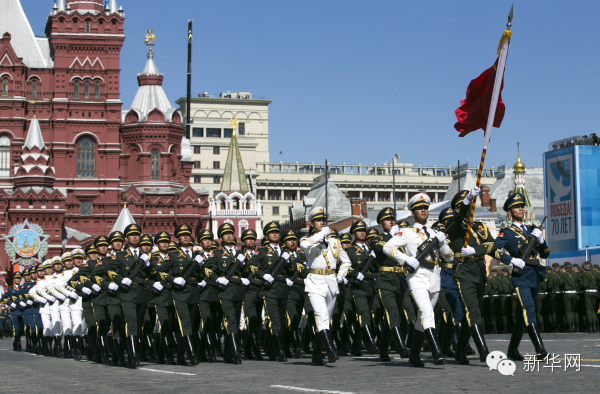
(274, 294)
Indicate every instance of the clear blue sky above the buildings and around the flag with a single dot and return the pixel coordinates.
(356, 81)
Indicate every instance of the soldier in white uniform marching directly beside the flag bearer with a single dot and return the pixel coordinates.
(424, 282)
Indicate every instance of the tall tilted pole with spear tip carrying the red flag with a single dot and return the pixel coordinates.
(503, 53)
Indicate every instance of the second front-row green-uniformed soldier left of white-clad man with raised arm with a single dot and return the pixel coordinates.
(231, 291)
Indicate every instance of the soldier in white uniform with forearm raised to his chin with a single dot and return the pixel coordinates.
(322, 257)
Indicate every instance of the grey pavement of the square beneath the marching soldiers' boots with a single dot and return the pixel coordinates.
(24, 373)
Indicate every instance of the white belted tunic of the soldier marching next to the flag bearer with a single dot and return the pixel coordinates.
(410, 239)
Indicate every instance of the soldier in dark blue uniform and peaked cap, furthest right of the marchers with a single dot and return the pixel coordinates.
(526, 284)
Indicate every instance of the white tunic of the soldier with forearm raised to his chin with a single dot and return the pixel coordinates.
(319, 256)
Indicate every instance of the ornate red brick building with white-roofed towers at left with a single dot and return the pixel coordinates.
(70, 154)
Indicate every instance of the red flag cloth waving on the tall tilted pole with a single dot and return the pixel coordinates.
(474, 110)
